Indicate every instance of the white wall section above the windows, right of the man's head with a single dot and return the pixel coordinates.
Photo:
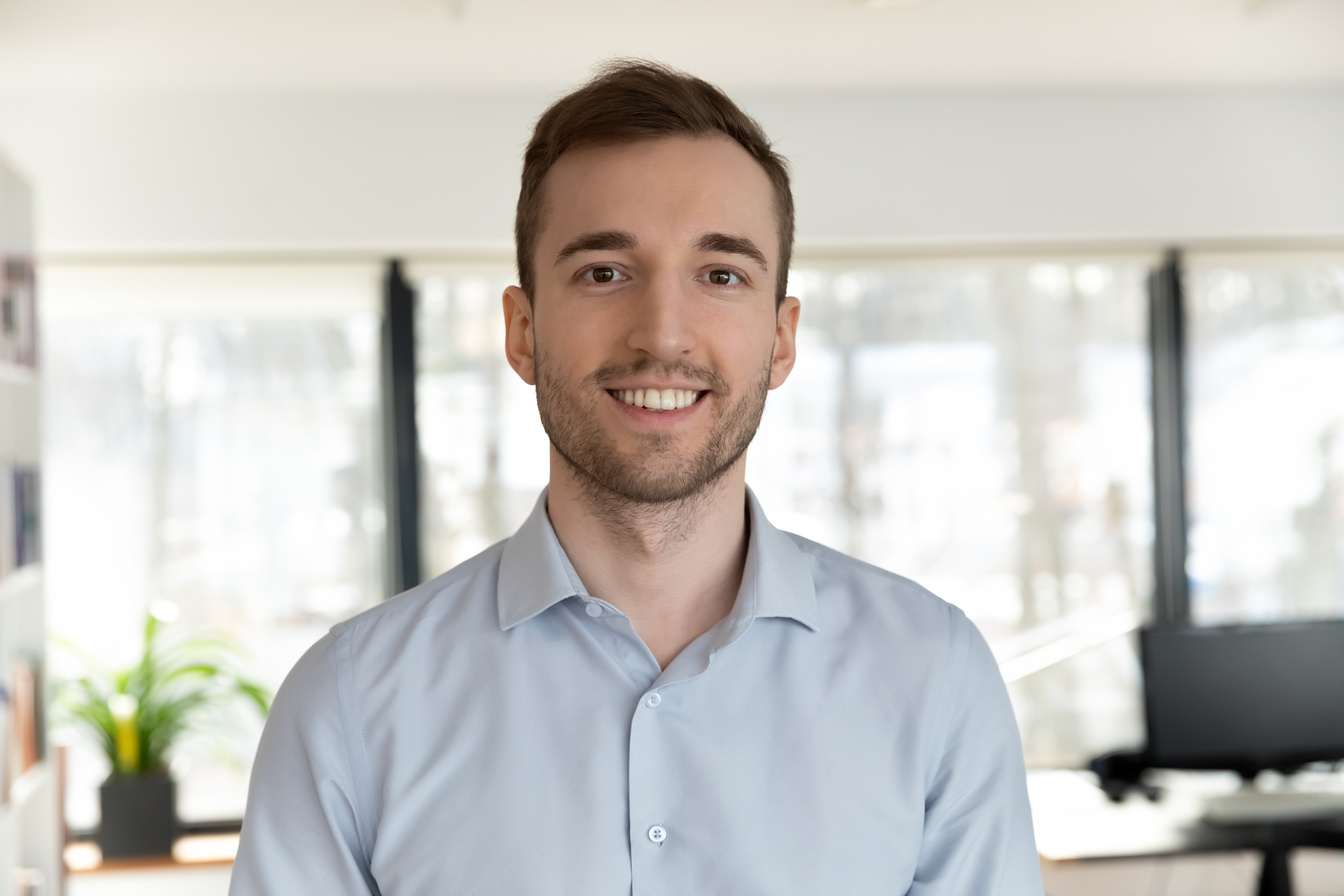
(1070, 167)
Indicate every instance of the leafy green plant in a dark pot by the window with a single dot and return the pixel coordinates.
(179, 686)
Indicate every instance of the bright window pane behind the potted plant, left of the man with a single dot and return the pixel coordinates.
(212, 440)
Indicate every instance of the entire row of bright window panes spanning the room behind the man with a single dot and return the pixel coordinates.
(213, 439)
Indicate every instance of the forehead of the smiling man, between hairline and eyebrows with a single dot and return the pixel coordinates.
(673, 189)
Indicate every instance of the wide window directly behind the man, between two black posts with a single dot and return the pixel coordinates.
(980, 427)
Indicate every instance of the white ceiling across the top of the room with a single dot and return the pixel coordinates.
(542, 46)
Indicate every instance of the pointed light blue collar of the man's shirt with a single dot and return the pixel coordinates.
(536, 574)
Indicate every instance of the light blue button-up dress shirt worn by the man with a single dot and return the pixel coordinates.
(499, 731)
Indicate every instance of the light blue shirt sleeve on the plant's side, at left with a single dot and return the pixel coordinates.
(302, 828)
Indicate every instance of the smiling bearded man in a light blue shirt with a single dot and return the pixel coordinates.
(648, 690)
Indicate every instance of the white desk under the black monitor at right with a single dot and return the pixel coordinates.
(1076, 823)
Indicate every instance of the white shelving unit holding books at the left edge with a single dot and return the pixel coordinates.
(30, 820)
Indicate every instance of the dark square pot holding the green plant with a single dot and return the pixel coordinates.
(139, 816)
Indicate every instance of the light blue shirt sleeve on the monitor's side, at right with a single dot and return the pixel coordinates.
(978, 835)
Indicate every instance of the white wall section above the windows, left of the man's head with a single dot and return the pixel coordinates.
(229, 173)
